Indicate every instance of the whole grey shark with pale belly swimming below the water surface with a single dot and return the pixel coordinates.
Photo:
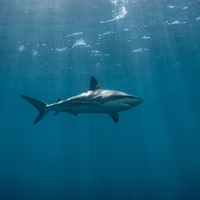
(95, 100)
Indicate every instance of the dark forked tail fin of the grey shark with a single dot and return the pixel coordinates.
(39, 105)
